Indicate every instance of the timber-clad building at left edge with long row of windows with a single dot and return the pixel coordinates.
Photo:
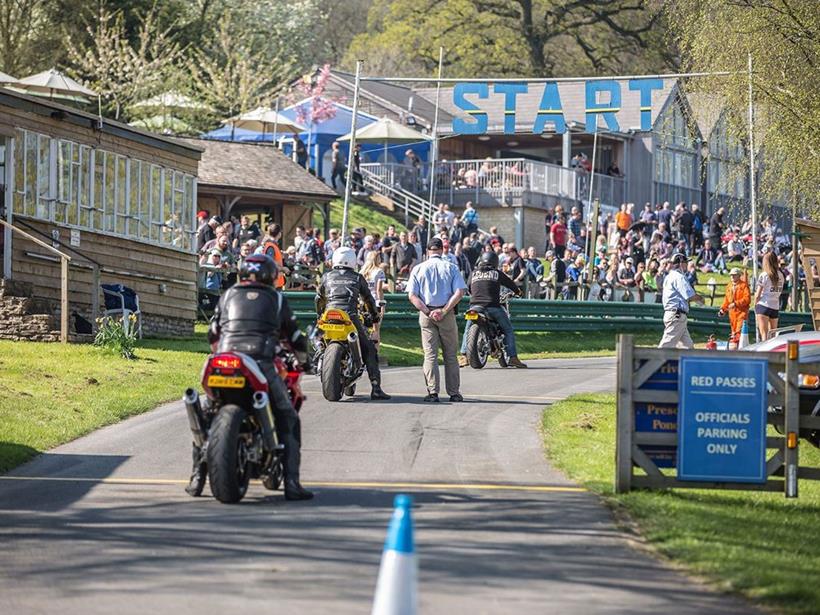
(119, 201)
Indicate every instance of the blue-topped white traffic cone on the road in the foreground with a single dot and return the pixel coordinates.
(396, 590)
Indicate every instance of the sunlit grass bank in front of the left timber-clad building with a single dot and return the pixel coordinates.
(51, 394)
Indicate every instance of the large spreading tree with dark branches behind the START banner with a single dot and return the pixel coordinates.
(513, 37)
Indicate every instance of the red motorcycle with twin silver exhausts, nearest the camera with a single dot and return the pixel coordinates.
(233, 430)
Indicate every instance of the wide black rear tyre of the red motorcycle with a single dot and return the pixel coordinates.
(228, 465)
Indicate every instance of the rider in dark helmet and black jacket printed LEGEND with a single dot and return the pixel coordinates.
(485, 291)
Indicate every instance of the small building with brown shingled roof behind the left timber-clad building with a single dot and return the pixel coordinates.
(248, 178)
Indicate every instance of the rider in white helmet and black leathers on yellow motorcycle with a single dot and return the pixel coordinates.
(342, 287)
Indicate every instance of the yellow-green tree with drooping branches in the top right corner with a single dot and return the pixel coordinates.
(783, 37)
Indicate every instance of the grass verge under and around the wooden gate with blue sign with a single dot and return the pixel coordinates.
(758, 544)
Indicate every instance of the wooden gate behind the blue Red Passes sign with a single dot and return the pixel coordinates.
(639, 453)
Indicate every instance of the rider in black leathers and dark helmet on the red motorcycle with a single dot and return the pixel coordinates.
(252, 318)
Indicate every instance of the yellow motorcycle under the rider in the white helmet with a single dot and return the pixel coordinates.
(339, 358)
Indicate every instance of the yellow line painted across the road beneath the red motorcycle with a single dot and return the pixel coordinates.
(328, 484)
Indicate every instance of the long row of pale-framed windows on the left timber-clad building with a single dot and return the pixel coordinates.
(68, 183)
